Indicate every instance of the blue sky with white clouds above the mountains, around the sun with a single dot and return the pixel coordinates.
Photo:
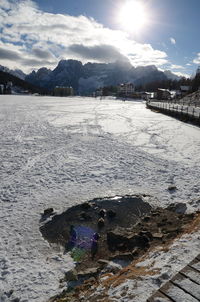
(41, 32)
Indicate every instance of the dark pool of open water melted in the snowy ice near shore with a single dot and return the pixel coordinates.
(118, 211)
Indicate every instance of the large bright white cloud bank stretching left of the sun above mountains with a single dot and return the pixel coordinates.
(42, 38)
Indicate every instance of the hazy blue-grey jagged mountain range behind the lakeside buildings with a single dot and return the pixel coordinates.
(86, 78)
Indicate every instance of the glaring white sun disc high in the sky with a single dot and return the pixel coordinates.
(133, 16)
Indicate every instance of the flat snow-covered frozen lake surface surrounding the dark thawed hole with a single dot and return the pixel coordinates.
(56, 152)
